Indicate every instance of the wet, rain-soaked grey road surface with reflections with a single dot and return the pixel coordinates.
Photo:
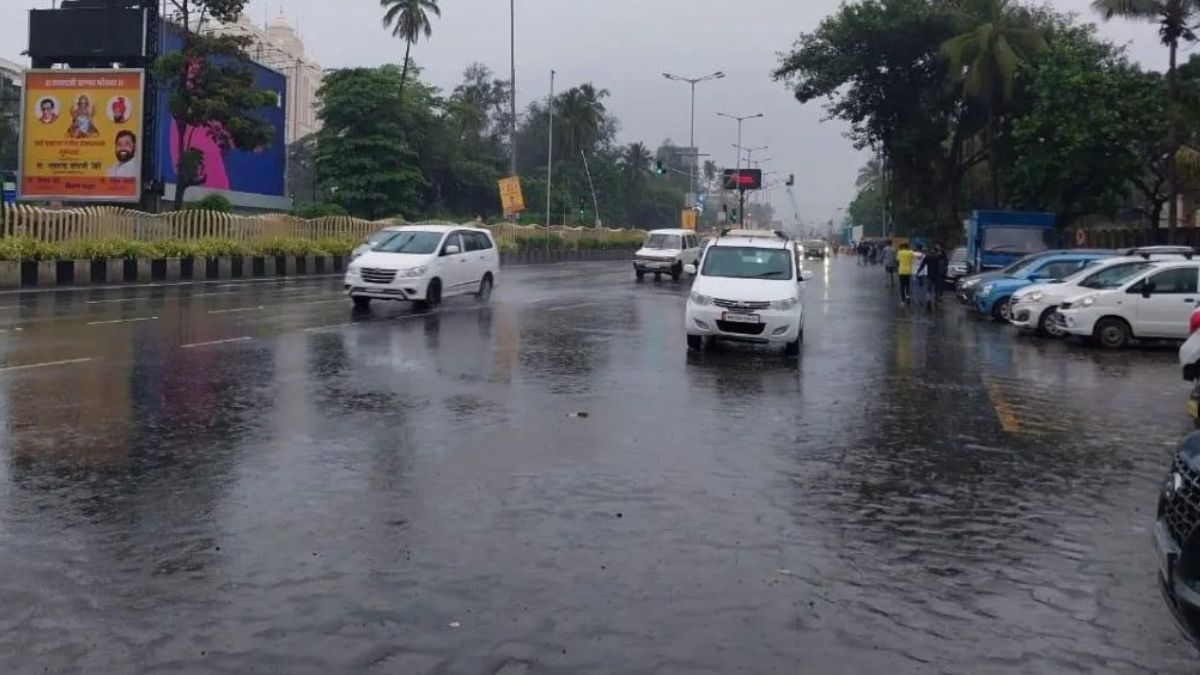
(247, 479)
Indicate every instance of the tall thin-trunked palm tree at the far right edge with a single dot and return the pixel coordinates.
(1175, 20)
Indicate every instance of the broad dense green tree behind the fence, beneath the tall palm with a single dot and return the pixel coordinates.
(364, 158)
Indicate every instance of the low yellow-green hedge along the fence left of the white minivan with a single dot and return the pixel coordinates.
(28, 249)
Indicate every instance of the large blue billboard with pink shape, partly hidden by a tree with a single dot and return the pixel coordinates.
(248, 177)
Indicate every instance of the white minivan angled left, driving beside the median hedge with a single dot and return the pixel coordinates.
(424, 265)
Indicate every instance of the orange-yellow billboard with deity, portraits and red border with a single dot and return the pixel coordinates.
(82, 136)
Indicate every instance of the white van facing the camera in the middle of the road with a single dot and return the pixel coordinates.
(749, 289)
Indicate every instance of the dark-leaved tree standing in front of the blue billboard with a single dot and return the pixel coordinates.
(209, 89)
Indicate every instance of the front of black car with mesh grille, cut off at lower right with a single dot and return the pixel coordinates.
(1177, 537)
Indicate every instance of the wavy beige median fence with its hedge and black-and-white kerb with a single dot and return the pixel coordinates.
(105, 246)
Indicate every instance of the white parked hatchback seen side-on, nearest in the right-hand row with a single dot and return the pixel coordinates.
(1154, 304)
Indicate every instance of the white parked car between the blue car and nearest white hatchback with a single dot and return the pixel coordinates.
(1036, 308)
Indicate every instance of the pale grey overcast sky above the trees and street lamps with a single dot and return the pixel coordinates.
(625, 46)
